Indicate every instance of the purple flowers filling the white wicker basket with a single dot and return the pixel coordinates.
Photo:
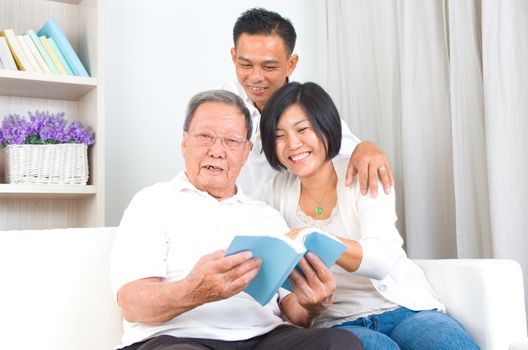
(43, 128)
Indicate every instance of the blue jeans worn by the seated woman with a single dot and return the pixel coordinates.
(410, 330)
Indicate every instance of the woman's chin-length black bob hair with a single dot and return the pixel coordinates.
(319, 108)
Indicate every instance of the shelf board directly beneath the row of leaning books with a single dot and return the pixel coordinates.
(44, 85)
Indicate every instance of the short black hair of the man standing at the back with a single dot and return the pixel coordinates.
(259, 21)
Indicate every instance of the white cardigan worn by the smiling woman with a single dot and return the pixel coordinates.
(370, 221)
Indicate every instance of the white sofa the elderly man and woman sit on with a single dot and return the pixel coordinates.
(55, 293)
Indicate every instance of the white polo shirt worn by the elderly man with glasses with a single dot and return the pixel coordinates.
(165, 230)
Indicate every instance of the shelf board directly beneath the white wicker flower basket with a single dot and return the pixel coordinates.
(54, 191)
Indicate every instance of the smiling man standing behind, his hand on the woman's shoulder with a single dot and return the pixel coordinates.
(264, 60)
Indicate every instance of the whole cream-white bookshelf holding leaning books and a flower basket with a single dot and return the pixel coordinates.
(81, 98)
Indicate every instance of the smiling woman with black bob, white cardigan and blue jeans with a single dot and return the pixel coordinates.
(381, 296)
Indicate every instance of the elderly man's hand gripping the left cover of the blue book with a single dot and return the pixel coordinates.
(217, 277)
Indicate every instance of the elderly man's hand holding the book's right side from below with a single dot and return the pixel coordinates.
(315, 290)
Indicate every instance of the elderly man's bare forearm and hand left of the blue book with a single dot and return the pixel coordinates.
(214, 277)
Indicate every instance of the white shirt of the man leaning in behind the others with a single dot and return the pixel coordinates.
(257, 171)
